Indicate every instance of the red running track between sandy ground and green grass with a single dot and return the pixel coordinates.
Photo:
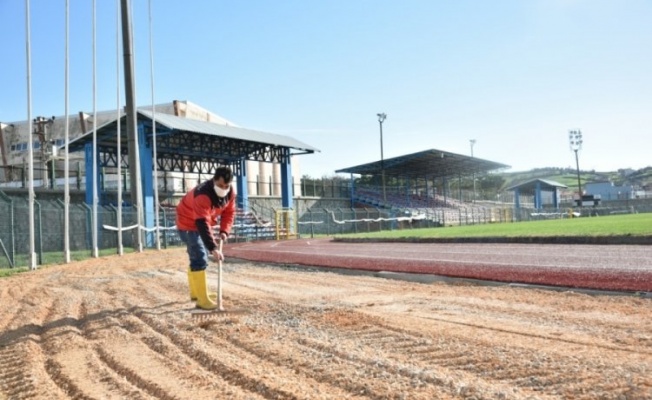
(603, 267)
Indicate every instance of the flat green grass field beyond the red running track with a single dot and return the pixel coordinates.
(617, 225)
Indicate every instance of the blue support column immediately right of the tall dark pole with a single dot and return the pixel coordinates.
(147, 184)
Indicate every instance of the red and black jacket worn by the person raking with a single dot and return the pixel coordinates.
(199, 209)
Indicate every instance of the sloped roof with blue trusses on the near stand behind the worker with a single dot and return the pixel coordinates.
(184, 144)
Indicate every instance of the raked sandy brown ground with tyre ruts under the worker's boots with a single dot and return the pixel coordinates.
(120, 328)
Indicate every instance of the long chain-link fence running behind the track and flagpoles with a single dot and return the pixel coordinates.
(49, 220)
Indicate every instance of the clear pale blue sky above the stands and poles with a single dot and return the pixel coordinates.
(515, 75)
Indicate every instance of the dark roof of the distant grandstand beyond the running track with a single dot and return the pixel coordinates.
(431, 163)
